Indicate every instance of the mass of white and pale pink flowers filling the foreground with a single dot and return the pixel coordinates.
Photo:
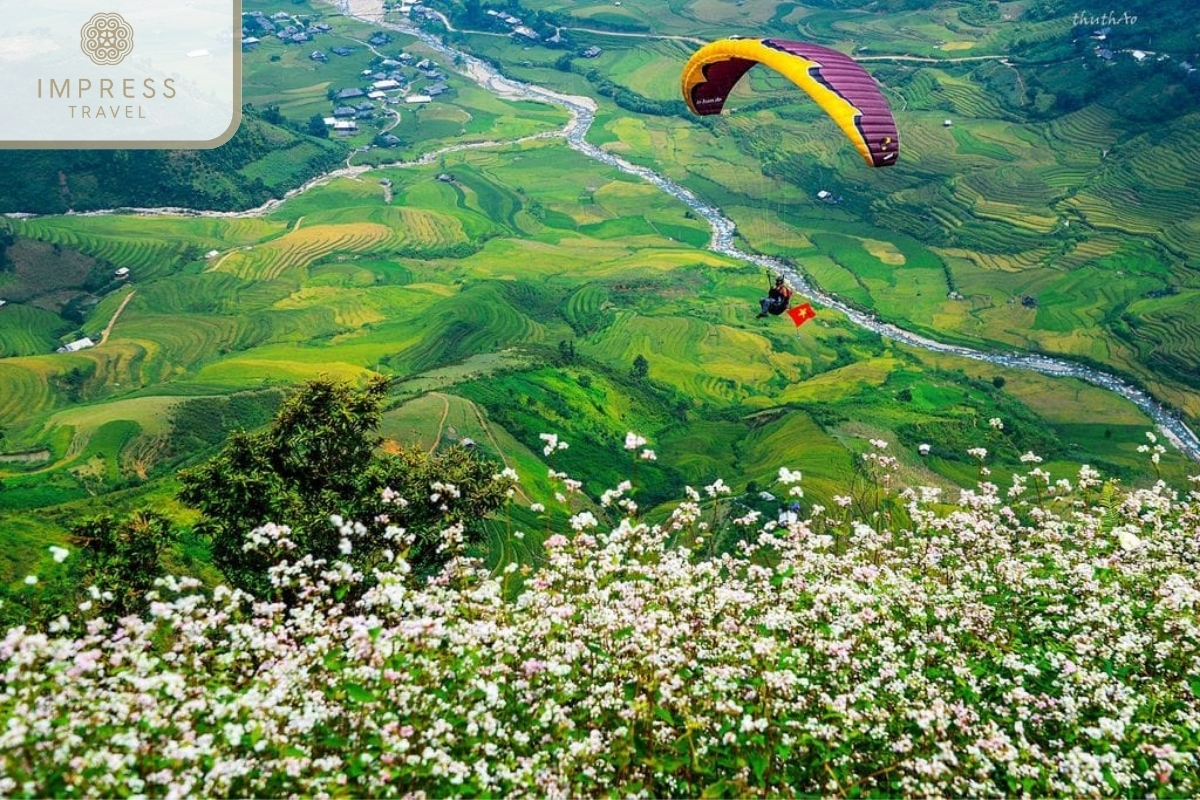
(1003, 642)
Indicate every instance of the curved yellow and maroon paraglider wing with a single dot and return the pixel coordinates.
(843, 88)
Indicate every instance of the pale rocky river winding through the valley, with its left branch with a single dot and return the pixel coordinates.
(583, 115)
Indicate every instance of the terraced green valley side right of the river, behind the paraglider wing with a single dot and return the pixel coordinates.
(1053, 214)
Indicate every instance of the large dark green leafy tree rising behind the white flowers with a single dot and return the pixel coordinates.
(319, 459)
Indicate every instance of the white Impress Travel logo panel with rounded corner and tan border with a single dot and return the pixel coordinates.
(133, 74)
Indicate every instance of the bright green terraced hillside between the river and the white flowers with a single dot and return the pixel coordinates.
(526, 311)
